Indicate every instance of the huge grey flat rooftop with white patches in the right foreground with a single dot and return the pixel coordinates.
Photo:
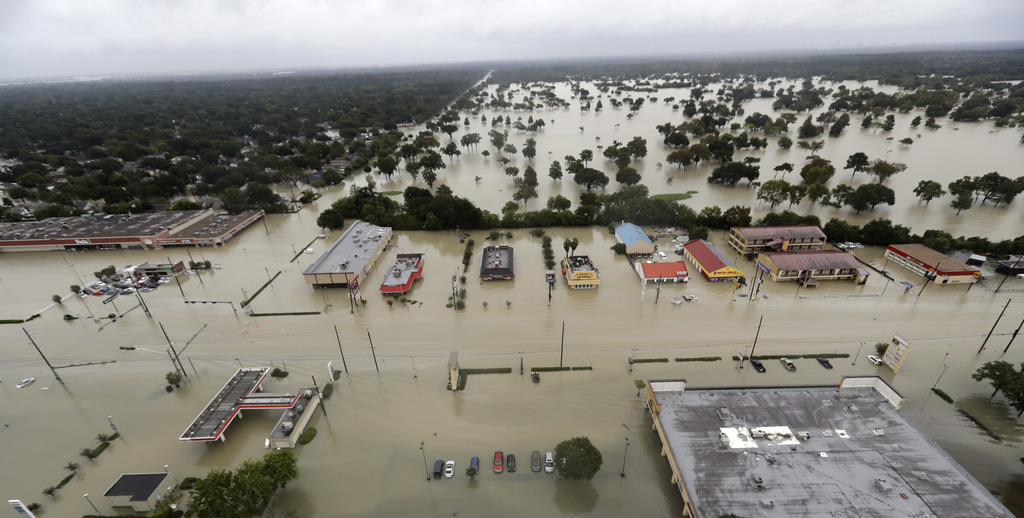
(813, 452)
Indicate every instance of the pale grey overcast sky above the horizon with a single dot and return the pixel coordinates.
(58, 38)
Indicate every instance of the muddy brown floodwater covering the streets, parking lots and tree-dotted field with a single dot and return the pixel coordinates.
(367, 461)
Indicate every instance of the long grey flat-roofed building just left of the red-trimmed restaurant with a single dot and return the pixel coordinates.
(351, 258)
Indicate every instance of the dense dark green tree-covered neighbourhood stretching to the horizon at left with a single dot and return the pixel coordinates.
(137, 146)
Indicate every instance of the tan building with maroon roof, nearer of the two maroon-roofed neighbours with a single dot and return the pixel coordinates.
(812, 267)
